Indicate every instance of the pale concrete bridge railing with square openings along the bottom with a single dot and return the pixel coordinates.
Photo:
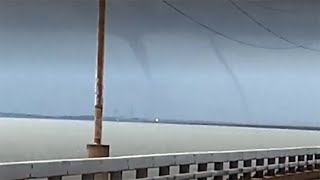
(244, 164)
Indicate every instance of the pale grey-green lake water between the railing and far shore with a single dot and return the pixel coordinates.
(35, 139)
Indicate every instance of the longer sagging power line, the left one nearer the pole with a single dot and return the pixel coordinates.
(222, 34)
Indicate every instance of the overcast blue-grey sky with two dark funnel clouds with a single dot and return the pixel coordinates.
(161, 63)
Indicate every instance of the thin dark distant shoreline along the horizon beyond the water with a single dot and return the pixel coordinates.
(161, 121)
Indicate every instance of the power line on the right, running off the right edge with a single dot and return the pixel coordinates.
(268, 29)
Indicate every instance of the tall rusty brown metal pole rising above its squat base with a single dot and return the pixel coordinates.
(99, 73)
